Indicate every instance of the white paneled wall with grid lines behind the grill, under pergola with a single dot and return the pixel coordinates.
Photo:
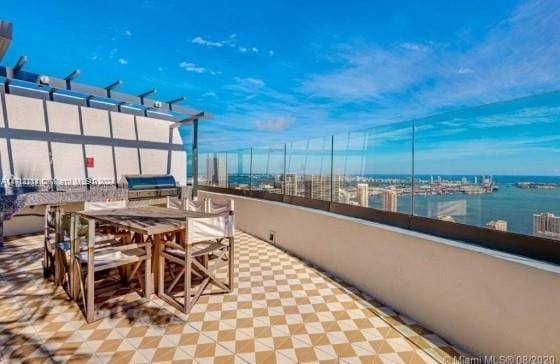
(132, 137)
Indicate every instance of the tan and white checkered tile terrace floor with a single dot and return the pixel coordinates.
(282, 311)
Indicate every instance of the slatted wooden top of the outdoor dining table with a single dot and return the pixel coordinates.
(148, 220)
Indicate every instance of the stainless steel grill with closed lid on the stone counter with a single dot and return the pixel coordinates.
(144, 187)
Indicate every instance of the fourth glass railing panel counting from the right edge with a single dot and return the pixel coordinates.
(268, 168)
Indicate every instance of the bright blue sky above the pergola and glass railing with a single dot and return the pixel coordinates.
(274, 71)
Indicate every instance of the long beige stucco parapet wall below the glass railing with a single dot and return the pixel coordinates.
(483, 301)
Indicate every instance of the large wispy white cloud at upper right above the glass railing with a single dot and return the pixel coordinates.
(516, 57)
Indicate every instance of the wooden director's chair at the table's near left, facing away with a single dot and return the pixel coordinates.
(96, 256)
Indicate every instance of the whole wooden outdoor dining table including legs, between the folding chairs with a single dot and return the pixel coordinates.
(148, 223)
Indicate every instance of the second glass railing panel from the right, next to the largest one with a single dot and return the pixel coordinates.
(374, 167)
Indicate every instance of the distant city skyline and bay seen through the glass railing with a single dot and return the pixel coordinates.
(473, 200)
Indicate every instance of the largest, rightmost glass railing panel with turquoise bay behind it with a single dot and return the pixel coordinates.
(494, 166)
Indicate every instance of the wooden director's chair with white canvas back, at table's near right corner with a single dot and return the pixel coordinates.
(200, 243)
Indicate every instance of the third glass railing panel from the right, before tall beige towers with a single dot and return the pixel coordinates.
(308, 168)
